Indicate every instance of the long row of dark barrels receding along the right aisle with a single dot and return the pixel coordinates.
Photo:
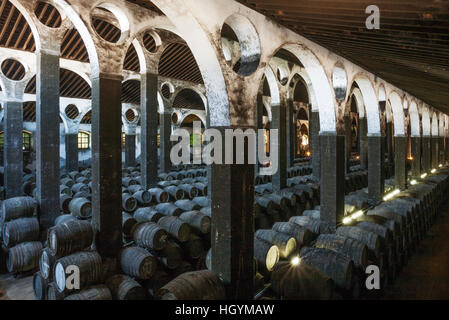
(334, 266)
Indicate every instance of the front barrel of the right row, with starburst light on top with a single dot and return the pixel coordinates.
(301, 282)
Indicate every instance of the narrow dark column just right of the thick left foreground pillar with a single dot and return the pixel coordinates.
(149, 127)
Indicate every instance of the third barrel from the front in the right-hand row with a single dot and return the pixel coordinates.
(355, 250)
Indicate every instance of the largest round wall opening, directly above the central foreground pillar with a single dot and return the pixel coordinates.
(239, 37)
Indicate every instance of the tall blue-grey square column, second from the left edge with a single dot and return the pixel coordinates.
(47, 136)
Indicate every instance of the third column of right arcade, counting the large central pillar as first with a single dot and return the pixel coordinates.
(376, 184)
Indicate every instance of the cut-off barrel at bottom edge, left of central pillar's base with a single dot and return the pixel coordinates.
(197, 285)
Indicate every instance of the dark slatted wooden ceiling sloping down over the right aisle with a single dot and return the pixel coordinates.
(410, 50)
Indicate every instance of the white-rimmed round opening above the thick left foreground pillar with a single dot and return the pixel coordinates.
(110, 23)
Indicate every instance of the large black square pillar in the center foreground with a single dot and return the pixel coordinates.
(232, 195)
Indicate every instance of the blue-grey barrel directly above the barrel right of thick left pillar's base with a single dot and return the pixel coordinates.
(150, 235)
